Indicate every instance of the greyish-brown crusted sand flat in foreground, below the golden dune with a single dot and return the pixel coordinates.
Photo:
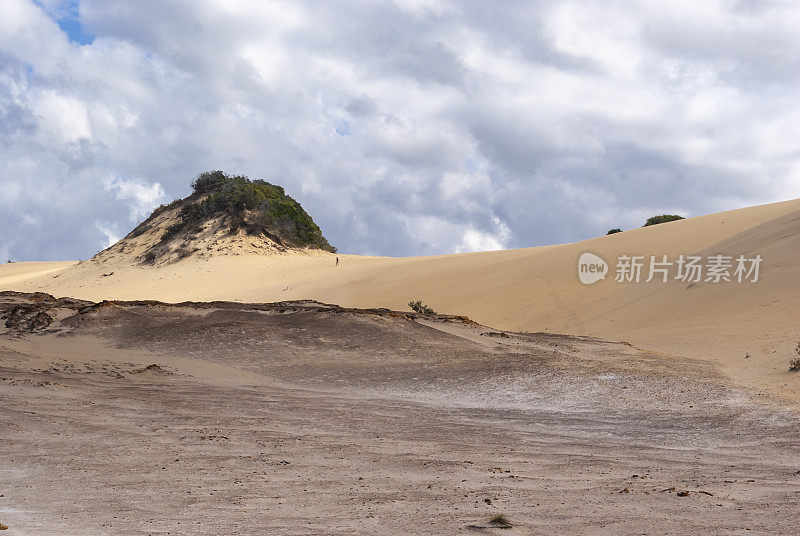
(301, 418)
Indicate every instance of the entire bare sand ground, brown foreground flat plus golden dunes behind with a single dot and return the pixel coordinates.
(240, 417)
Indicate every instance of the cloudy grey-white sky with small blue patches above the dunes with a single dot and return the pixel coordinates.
(411, 127)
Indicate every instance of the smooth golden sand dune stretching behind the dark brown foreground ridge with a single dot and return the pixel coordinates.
(533, 289)
